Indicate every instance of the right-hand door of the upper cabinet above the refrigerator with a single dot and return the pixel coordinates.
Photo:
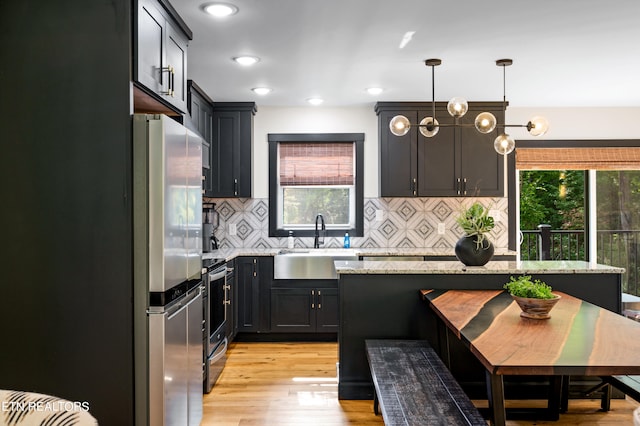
(176, 54)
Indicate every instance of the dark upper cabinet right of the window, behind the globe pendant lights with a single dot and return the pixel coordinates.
(458, 161)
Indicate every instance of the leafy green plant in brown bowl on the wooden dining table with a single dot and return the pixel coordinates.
(533, 296)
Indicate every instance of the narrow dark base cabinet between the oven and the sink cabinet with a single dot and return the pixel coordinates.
(253, 278)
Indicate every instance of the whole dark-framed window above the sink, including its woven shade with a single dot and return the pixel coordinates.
(311, 174)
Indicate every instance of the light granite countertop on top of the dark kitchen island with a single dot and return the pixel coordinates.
(456, 267)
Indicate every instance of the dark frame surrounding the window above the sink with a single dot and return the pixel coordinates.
(274, 194)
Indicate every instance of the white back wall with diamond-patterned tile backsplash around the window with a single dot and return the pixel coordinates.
(407, 222)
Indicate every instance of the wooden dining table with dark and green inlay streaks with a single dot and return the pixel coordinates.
(580, 338)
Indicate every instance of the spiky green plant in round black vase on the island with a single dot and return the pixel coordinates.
(474, 248)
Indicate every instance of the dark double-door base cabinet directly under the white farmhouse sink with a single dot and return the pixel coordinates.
(304, 306)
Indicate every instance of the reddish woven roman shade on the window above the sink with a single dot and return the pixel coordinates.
(321, 164)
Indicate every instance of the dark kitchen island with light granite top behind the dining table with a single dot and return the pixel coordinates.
(380, 300)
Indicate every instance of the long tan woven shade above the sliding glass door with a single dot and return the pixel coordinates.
(579, 158)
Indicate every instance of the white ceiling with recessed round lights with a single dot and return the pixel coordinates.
(565, 52)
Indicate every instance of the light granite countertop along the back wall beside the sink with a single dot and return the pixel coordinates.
(231, 253)
